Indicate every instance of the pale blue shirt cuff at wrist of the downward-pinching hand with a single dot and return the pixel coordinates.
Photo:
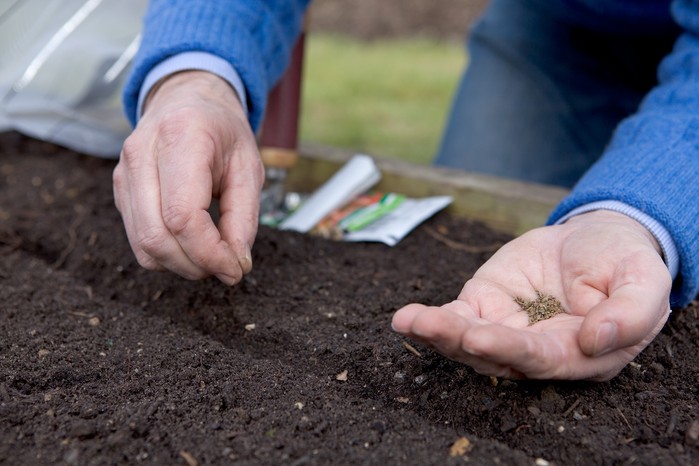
(192, 61)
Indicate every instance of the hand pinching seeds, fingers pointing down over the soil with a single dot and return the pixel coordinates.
(192, 144)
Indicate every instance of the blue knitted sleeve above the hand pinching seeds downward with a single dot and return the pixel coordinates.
(254, 36)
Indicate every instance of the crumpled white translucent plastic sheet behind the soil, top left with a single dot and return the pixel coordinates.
(62, 68)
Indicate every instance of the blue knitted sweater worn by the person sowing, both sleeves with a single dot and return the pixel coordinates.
(652, 162)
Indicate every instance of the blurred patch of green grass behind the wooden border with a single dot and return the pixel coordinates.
(384, 98)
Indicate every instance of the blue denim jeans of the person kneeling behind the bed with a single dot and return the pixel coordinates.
(543, 93)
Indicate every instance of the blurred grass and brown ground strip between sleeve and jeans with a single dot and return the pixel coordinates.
(379, 75)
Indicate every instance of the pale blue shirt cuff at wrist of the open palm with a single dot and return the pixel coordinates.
(662, 236)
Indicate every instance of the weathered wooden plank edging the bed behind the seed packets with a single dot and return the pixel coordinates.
(505, 205)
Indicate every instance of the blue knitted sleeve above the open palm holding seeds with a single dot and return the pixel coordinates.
(652, 162)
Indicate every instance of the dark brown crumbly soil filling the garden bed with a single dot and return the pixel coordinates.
(102, 362)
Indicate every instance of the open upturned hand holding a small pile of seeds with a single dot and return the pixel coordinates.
(606, 270)
